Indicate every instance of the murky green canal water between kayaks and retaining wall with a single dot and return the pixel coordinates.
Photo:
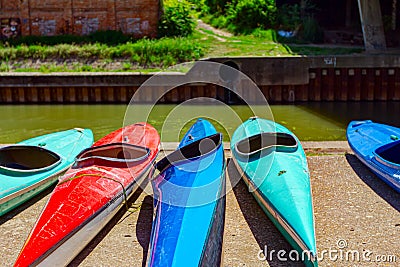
(309, 121)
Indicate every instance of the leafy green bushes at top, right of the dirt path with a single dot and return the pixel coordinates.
(255, 16)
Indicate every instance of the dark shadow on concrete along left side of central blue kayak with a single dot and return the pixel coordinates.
(144, 225)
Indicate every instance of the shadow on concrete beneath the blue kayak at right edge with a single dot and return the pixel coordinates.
(375, 183)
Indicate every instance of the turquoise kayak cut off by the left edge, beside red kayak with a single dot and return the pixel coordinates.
(29, 167)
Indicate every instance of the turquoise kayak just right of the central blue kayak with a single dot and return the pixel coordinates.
(274, 166)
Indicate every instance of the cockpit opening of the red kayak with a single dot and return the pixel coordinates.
(115, 153)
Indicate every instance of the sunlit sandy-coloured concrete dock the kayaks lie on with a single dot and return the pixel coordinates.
(355, 214)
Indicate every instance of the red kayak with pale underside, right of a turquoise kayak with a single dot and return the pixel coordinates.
(90, 194)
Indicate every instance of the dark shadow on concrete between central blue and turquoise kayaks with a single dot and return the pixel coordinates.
(261, 227)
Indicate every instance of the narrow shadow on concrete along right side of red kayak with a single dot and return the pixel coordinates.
(103, 233)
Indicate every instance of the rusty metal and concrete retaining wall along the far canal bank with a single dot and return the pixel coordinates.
(290, 79)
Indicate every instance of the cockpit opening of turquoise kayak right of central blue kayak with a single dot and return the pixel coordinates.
(262, 141)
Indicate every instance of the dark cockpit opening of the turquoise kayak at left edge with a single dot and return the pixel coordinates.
(27, 159)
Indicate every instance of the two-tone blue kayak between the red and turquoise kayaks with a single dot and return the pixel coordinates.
(189, 202)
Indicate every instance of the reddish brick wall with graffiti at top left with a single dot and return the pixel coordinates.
(53, 17)
